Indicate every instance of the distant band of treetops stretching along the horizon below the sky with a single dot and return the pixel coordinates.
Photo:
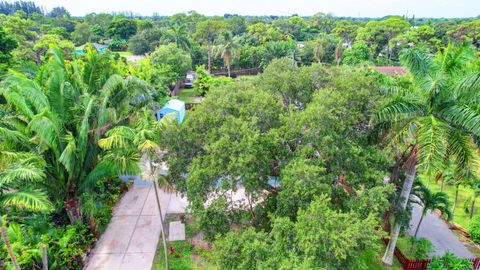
(239, 42)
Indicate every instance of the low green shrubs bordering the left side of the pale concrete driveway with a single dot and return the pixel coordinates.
(66, 244)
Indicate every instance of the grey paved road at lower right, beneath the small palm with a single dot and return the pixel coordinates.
(437, 231)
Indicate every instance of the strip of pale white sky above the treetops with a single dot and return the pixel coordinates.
(353, 8)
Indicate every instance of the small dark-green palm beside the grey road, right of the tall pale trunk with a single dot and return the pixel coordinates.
(429, 201)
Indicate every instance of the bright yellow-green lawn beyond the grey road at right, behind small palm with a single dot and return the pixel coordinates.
(461, 217)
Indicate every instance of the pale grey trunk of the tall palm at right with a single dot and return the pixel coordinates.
(411, 166)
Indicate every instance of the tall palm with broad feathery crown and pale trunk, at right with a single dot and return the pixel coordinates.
(436, 119)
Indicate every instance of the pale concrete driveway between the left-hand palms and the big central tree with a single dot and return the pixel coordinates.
(131, 238)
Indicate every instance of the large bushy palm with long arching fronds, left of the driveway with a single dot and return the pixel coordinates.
(63, 113)
